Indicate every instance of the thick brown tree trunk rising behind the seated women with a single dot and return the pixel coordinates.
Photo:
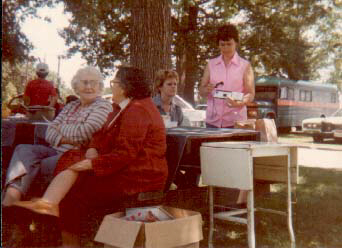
(150, 35)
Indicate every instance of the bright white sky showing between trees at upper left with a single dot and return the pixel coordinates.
(48, 45)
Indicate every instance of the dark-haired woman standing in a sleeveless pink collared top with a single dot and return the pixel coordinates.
(227, 72)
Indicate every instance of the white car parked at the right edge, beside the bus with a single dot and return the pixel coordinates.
(324, 127)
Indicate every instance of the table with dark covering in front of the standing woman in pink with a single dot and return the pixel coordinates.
(183, 149)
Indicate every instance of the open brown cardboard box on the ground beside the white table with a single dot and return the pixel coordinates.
(184, 230)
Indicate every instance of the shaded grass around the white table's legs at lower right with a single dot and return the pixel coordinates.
(317, 216)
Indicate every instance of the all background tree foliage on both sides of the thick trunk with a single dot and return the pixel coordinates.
(274, 34)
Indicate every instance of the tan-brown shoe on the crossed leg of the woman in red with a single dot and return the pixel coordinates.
(40, 206)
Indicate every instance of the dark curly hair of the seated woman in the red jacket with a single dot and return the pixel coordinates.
(134, 82)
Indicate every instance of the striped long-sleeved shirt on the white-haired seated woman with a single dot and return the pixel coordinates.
(78, 123)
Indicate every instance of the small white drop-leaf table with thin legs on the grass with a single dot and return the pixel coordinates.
(236, 165)
